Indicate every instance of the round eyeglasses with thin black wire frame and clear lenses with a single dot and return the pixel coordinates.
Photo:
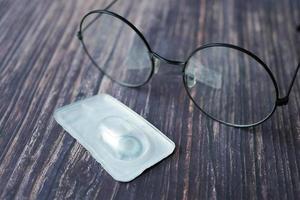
(227, 83)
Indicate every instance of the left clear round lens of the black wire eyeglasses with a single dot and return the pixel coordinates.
(116, 49)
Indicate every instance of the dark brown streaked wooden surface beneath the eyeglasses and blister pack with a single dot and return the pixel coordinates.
(43, 67)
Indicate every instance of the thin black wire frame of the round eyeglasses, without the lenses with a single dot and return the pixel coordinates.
(279, 101)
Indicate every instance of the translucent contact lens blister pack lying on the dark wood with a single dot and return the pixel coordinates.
(124, 143)
